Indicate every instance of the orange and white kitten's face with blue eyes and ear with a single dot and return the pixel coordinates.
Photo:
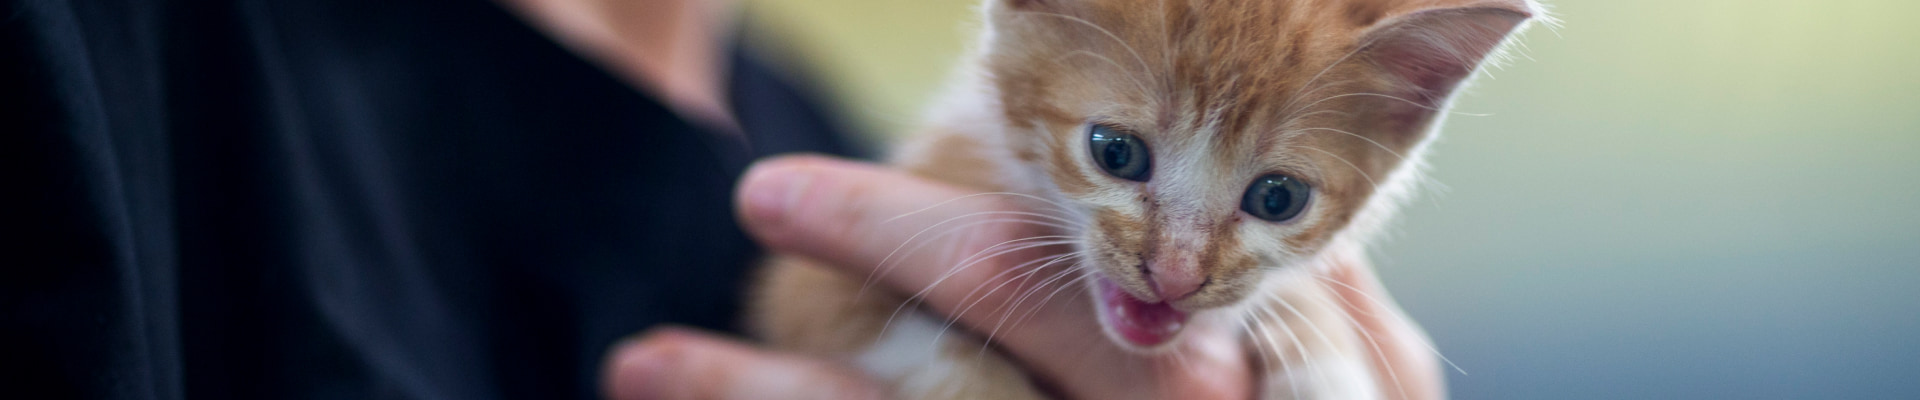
(1218, 145)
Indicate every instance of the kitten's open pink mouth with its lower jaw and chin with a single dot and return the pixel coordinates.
(1138, 326)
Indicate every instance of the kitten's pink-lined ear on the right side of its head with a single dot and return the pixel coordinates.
(1429, 53)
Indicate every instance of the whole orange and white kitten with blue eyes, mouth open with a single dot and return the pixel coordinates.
(1211, 161)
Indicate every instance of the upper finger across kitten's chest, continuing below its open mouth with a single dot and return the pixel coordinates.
(855, 216)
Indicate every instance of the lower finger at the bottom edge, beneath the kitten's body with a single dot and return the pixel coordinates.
(677, 364)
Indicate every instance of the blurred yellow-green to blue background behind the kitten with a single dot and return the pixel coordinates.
(1706, 199)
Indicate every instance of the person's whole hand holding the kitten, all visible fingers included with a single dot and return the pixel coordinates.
(838, 212)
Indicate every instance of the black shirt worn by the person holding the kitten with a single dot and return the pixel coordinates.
(350, 199)
